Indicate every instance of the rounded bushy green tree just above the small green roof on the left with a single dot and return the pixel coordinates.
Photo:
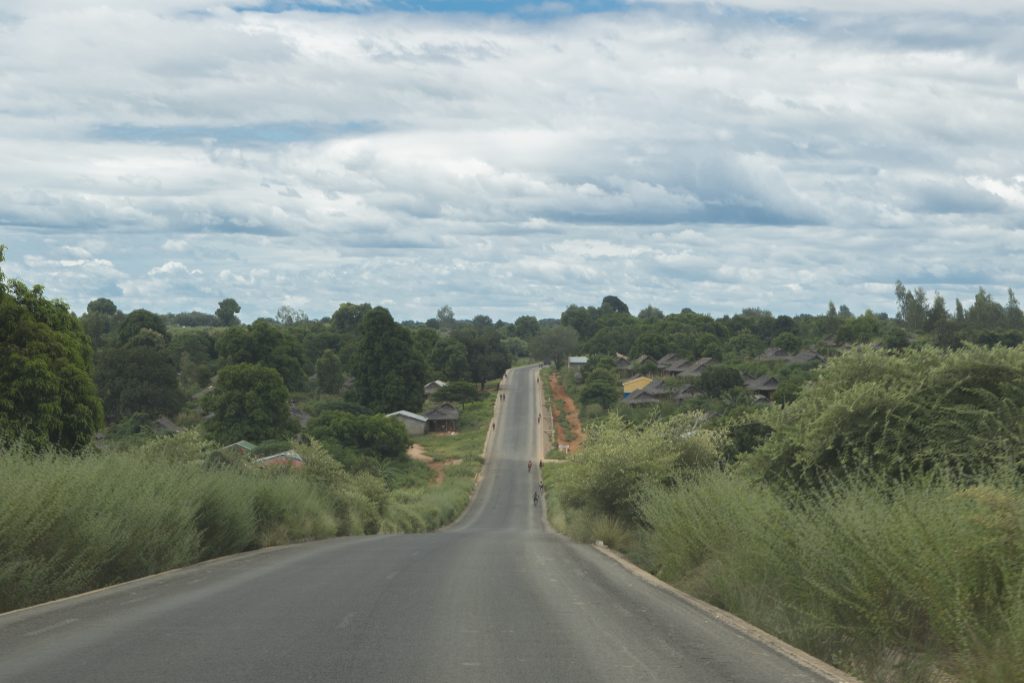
(248, 402)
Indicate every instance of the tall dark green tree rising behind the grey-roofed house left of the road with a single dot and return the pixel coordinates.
(390, 373)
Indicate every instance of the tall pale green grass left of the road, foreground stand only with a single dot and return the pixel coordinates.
(71, 525)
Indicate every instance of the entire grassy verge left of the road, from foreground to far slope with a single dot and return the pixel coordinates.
(73, 525)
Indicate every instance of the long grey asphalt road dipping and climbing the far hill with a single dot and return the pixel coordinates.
(495, 597)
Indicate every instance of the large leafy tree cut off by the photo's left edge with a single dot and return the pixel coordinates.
(48, 397)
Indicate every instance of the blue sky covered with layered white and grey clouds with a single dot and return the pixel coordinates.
(511, 158)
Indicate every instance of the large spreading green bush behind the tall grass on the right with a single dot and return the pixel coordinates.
(901, 414)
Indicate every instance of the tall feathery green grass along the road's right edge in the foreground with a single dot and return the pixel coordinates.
(893, 582)
